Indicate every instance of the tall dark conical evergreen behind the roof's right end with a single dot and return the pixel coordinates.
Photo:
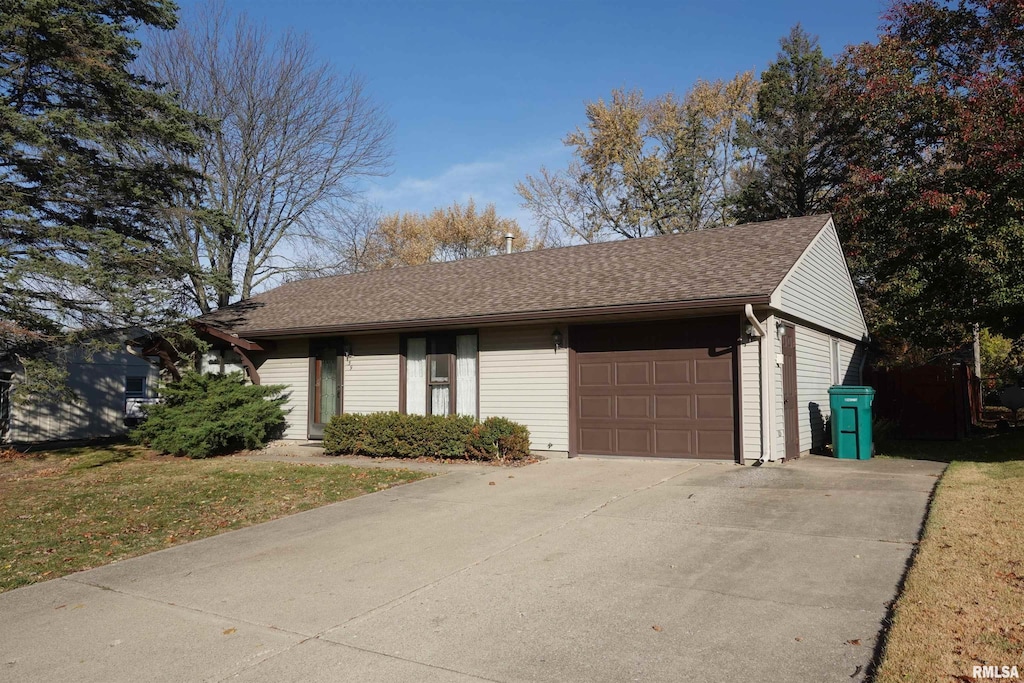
(793, 167)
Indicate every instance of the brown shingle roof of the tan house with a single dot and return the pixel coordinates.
(742, 263)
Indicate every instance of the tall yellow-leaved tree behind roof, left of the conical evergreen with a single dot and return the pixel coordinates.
(646, 167)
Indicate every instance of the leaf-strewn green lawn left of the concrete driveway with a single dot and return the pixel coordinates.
(74, 509)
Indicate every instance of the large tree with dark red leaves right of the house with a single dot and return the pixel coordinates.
(933, 210)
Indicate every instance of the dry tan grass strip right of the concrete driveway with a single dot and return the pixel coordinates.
(963, 603)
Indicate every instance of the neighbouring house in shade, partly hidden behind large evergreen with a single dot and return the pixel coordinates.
(109, 382)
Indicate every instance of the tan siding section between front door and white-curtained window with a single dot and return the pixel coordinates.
(372, 374)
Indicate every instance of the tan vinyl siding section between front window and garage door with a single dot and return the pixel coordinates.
(525, 379)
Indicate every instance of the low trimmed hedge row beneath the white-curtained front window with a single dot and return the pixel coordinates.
(397, 436)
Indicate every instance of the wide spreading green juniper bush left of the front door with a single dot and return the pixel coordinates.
(209, 415)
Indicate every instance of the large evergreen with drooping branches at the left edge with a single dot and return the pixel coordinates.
(78, 235)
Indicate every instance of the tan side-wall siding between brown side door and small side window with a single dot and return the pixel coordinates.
(814, 379)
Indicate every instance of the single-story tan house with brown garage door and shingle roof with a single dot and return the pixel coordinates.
(718, 345)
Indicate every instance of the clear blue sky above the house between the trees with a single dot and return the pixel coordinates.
(483, 93)
